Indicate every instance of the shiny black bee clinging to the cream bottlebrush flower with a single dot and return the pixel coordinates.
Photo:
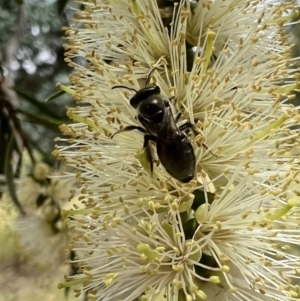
(174, 149)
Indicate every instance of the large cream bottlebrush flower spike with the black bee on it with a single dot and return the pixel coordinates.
(225, 66)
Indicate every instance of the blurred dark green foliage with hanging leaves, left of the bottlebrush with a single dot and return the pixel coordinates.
(31, 63)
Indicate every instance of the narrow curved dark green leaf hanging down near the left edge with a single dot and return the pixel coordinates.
(9, 172)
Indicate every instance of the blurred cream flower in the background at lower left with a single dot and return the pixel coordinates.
(40, 235)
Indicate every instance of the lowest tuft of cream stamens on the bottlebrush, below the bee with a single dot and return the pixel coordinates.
(227, 251)
